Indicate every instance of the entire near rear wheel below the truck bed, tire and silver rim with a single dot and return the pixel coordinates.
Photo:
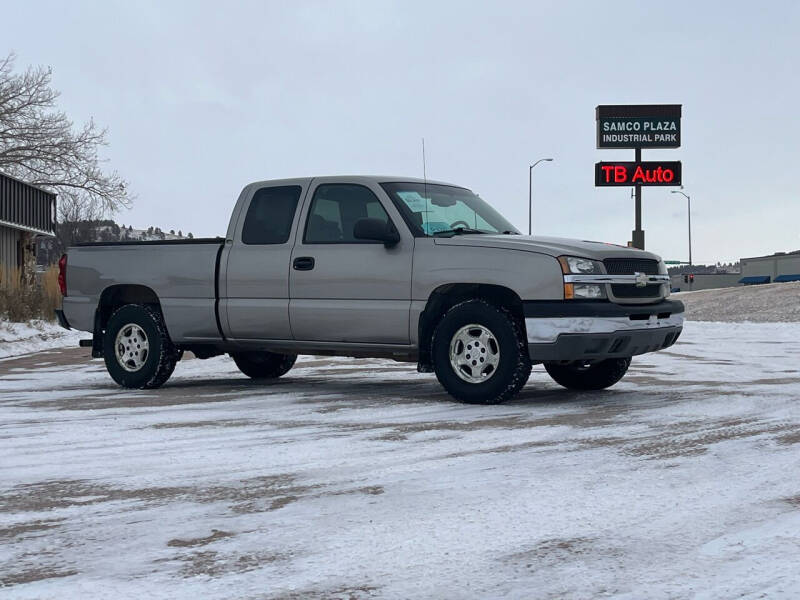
(137, 349)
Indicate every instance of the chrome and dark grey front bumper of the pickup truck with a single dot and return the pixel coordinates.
(592, 330)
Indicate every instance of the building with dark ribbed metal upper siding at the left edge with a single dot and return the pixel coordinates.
(25, 213)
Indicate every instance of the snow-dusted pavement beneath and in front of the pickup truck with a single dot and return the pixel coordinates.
(361, 479)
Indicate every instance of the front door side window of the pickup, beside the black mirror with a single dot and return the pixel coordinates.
(335, 209)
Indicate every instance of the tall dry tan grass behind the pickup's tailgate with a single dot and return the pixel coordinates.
(21, 302)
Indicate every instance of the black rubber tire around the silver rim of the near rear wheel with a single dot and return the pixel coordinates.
(161, 354)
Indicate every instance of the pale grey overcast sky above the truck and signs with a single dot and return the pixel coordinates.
(201, 98)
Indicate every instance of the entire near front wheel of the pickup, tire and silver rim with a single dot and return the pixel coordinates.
(479, 353)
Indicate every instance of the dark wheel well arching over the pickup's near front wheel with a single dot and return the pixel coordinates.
(446, 296)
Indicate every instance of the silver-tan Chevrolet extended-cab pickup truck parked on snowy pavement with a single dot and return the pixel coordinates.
(394, 267)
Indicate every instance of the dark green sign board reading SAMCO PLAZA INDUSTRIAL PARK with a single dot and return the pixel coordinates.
(638, 126)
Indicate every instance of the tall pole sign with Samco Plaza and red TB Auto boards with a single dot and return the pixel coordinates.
(638, 126)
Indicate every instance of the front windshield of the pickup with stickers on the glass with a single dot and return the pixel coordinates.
(429, 209)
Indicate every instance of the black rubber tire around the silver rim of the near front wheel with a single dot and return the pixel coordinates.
(513, 369)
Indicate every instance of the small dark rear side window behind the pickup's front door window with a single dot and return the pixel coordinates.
(270, 215)
